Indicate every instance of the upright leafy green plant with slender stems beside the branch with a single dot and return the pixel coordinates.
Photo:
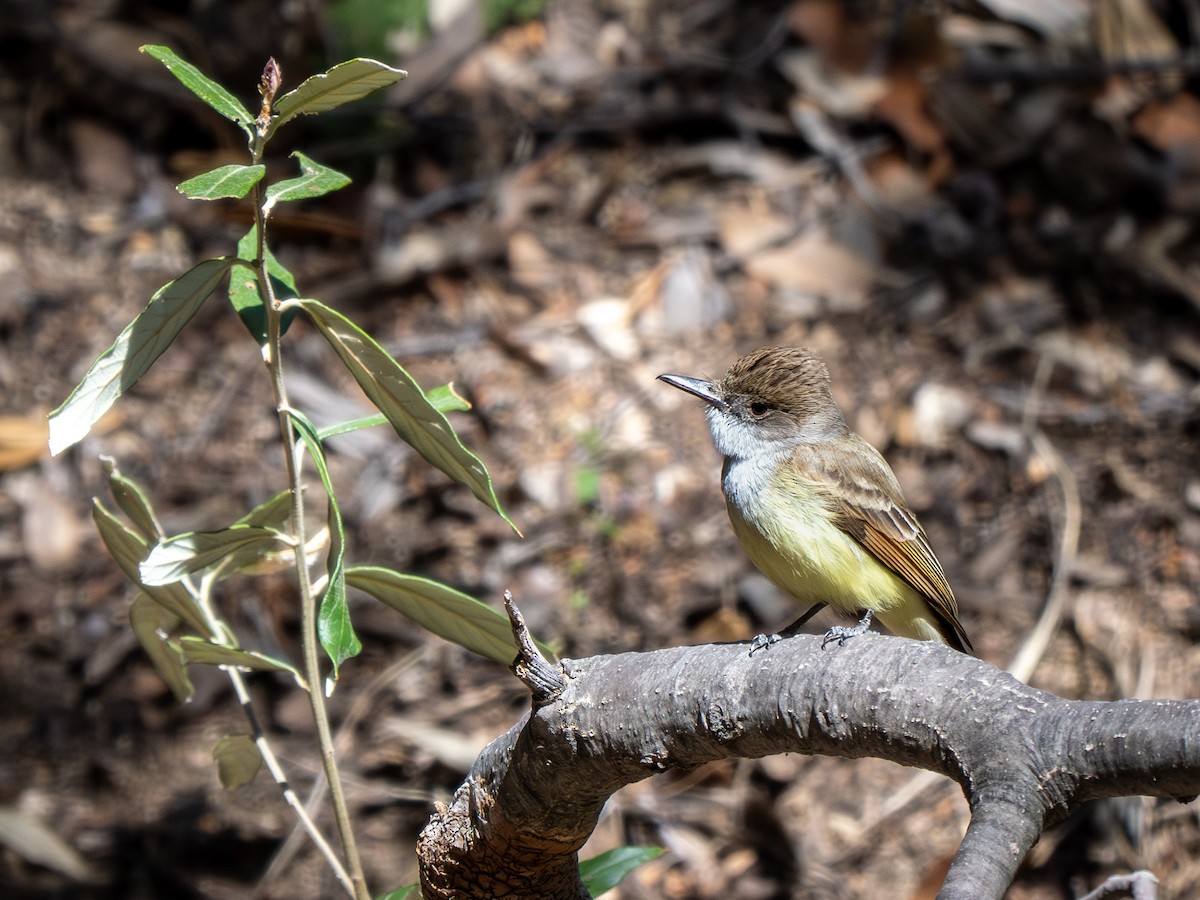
(173, 613)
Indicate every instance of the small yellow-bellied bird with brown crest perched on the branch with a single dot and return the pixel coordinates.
(815, 507)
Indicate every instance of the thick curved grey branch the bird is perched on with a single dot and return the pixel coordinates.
(1024, 758)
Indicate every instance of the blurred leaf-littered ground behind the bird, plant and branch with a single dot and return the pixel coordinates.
(981, 214)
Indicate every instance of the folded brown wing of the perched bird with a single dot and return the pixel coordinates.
(871, 508)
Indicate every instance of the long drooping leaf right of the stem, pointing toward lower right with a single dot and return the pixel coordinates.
(399, 398)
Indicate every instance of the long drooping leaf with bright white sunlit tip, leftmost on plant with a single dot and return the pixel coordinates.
(136, 349)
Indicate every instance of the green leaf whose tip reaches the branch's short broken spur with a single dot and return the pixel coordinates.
(445, 611)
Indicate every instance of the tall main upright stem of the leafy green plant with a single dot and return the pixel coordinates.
(309, 643)
